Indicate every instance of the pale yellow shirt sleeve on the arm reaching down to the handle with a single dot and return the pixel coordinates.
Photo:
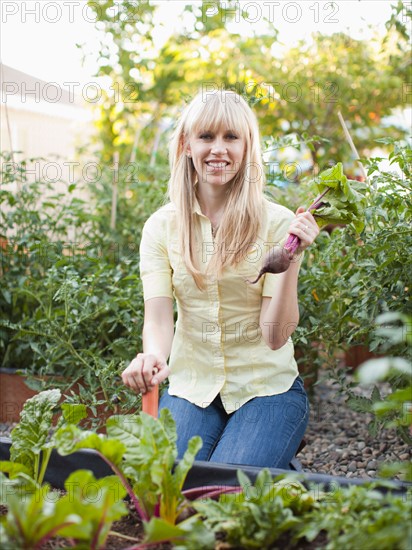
(155, 269)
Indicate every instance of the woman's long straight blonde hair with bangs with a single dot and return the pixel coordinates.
(243, 212)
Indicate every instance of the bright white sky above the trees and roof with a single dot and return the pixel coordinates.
(40, 37)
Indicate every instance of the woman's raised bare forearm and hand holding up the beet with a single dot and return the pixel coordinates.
(279, 315)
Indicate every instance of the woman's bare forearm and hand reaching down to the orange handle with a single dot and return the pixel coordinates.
(150, 367)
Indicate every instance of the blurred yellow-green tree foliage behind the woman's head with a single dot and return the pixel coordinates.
(298, 93)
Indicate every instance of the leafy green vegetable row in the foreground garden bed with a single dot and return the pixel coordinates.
(141, 452)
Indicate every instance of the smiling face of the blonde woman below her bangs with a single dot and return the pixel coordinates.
(217, 155)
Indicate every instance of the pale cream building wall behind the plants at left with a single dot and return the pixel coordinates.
(49, 132)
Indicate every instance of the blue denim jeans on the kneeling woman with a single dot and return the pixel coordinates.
(265, 431)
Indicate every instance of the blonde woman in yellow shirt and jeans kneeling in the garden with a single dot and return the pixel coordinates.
(233, 378)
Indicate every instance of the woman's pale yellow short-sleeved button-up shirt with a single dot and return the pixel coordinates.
(218, 346)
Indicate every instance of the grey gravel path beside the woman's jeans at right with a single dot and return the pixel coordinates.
(338, 441)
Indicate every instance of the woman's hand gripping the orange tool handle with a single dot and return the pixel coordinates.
(145, 371)
